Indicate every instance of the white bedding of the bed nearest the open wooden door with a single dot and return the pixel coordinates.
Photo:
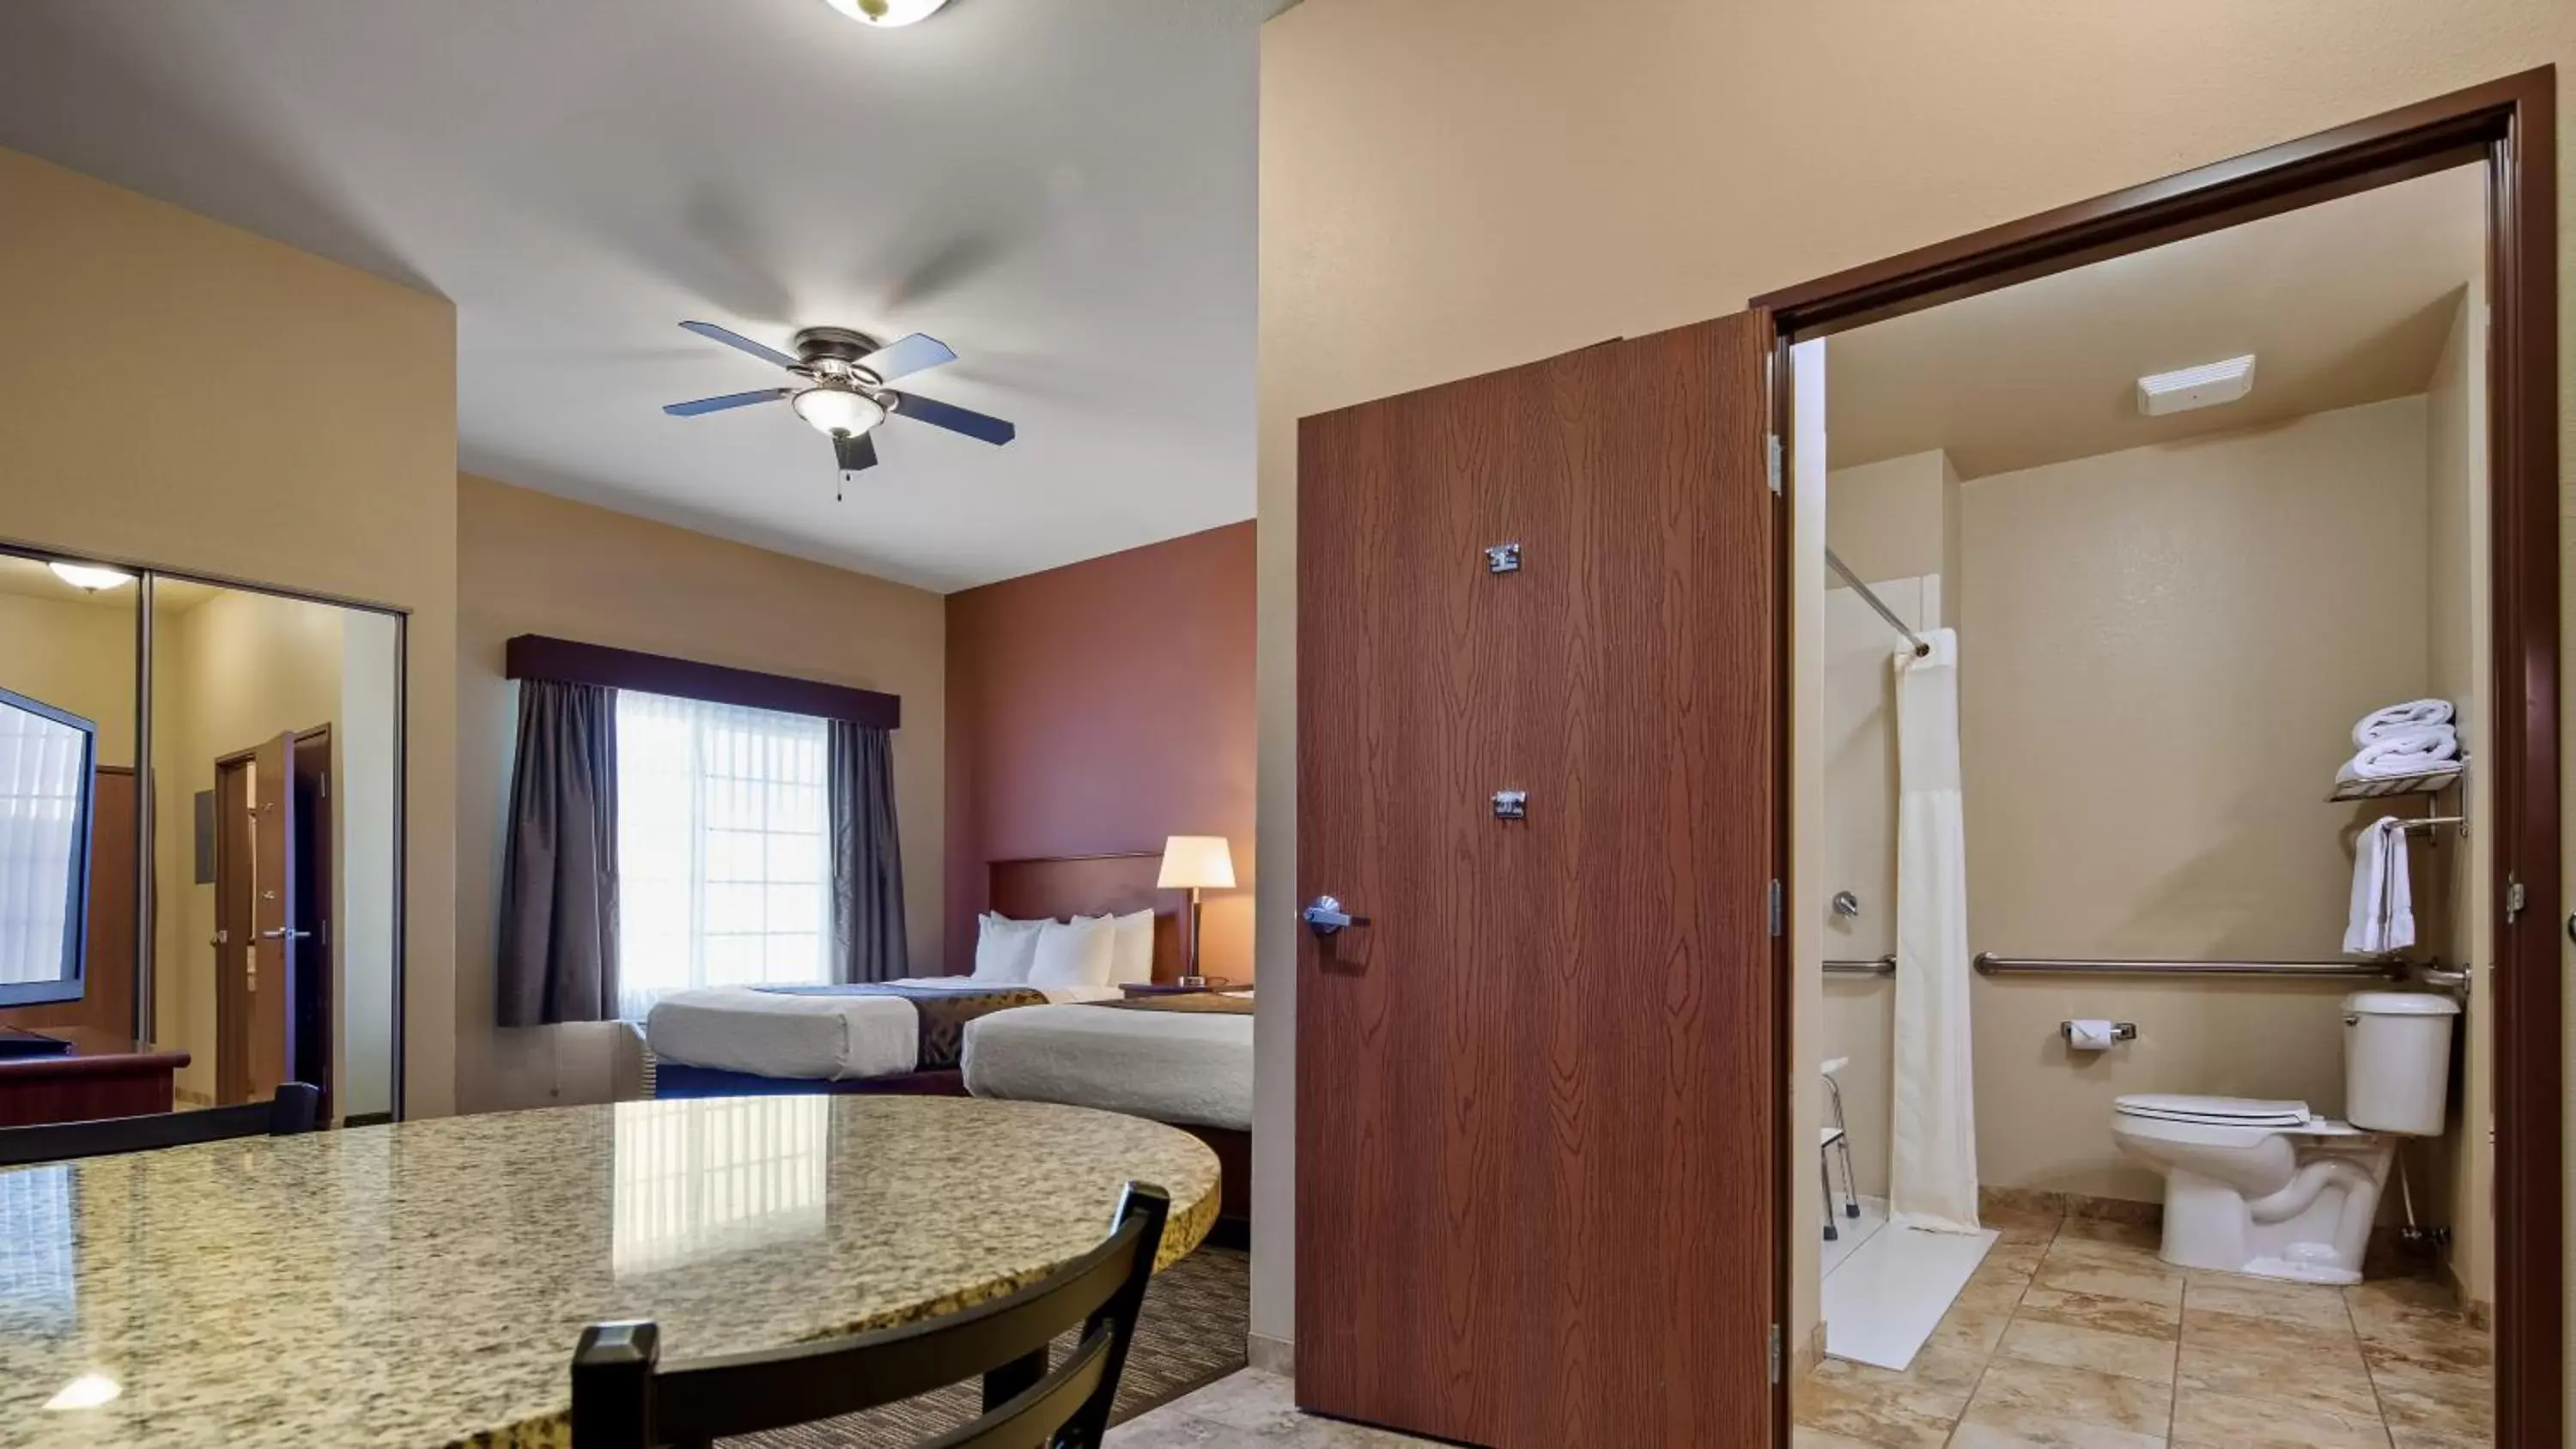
(1181, 1067)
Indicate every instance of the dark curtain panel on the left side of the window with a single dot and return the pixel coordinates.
(560, 866)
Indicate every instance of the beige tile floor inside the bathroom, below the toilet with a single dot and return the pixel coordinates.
(2078, 1334)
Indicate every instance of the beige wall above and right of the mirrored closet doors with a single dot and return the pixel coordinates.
(298, 429)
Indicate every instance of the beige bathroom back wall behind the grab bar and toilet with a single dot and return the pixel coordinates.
(2160, 668)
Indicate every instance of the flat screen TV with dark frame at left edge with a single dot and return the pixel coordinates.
(48, 763)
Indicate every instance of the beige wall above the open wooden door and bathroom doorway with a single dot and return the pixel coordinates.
(1423, 220)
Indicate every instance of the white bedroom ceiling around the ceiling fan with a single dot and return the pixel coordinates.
(1063, 192)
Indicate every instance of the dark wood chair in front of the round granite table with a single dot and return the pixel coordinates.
(625, 1399)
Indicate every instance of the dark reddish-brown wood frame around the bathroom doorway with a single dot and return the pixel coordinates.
(2510, 127)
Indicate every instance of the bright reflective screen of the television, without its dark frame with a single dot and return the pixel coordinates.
(40, 840)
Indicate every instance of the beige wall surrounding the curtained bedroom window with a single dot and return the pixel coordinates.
(542, 565)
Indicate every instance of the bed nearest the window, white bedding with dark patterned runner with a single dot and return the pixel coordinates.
(823, 1033)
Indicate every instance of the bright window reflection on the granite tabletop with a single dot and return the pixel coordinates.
(720, 1175)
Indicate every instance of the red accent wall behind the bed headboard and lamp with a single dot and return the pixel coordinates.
(1101, 709)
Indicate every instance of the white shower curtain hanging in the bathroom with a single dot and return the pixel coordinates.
(1933, 1152)
